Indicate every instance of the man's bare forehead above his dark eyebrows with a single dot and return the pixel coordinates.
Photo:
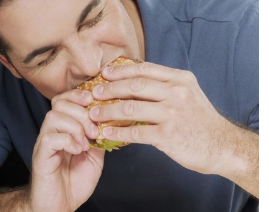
(29, 23)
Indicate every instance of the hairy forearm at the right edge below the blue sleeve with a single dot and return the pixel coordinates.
(241, 158)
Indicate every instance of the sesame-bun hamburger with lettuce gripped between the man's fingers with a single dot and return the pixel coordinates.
(101, 142)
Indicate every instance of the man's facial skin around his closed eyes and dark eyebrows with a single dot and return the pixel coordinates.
(58, 28)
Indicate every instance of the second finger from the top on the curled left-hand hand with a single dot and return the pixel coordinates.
(79, 114)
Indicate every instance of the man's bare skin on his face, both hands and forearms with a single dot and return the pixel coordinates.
(199, 139)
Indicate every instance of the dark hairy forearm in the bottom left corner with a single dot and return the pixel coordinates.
(15, 200)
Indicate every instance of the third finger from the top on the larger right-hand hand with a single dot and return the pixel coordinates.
(128, 110)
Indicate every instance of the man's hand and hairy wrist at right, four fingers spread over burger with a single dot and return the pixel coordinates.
(184, 124)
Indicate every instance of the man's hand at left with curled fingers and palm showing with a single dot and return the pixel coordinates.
(65, 169)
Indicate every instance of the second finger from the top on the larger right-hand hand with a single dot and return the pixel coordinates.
(137, 88)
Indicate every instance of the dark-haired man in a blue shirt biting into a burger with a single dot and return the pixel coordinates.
(194, 159)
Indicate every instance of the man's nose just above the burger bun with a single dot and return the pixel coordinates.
(85, 58)
